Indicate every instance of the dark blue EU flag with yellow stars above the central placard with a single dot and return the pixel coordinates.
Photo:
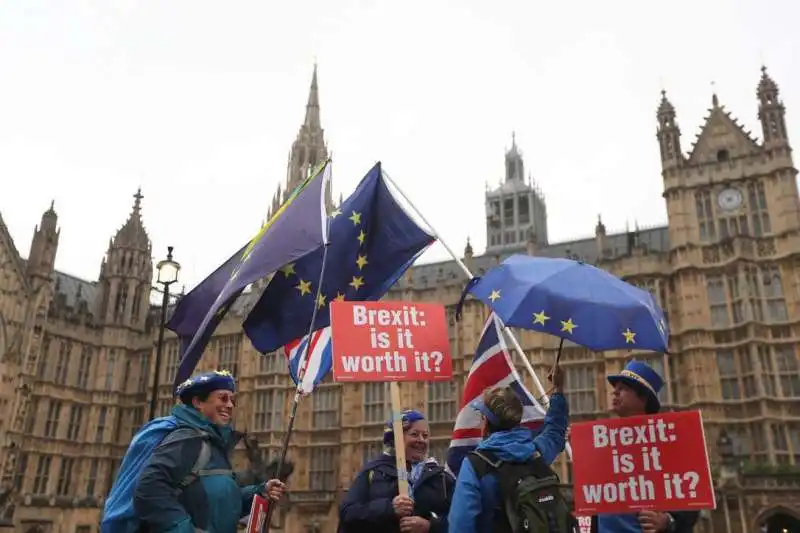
(372, 243)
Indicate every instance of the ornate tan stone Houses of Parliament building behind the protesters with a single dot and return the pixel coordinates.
(77, 356)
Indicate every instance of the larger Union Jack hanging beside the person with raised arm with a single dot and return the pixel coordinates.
(491, 368)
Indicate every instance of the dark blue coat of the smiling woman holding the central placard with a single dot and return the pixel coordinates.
(367, 506)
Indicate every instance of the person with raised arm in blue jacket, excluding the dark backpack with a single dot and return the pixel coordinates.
(476, 501)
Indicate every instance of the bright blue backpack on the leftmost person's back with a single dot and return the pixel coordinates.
(119, 515)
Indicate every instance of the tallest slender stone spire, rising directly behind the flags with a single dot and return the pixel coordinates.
(309, 149)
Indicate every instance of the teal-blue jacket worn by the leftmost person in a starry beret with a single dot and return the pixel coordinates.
(211, 504)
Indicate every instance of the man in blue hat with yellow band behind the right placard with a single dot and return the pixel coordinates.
(635, 392)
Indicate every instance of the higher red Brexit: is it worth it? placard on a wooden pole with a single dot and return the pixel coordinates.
(390, 341)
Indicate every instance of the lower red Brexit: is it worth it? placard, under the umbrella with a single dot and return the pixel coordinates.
(656, 462)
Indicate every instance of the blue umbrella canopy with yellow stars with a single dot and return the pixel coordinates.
(572, 300)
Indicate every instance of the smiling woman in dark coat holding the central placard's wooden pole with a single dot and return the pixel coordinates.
(372, 503)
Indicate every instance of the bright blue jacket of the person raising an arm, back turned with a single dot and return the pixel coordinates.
(476, 500)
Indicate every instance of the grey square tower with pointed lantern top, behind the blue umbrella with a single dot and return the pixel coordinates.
(515, 210)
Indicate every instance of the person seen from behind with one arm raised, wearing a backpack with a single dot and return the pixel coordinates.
(477, 503)
